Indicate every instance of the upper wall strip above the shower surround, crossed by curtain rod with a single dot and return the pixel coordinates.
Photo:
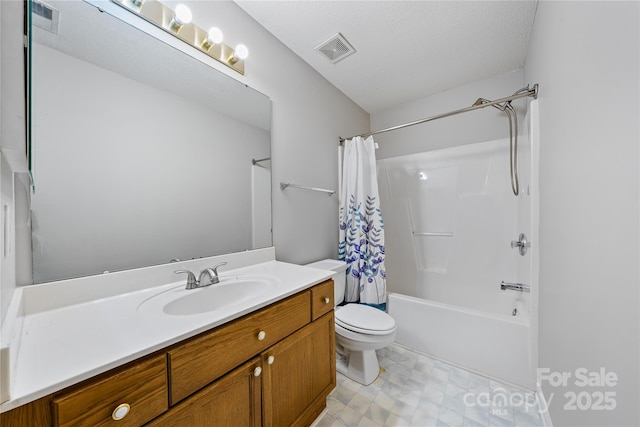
(487, 124)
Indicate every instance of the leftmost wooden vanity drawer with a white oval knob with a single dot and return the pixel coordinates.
(142, 386)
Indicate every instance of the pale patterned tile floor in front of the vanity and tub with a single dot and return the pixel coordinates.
(419, 391)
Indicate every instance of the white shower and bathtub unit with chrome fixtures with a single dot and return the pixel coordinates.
(459, 288)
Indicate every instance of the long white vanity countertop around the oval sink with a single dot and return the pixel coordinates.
(62, 345)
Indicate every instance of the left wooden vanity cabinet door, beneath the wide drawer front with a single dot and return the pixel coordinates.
(232, 401)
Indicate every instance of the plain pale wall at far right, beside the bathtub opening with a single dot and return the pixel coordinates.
(585, 56)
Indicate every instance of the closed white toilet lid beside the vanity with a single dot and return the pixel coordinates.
(364, 319)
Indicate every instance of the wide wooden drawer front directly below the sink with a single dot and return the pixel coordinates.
(202, 360)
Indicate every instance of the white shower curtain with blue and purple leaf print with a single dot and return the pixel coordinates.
(361, 240)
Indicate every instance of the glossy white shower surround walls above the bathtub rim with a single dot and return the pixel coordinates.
(450, 218)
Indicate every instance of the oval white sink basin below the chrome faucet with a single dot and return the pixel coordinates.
(228, 294)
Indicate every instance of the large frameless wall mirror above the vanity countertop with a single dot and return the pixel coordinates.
(140, 153)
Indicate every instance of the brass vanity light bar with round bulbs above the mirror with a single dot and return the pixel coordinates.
(178, 23)
